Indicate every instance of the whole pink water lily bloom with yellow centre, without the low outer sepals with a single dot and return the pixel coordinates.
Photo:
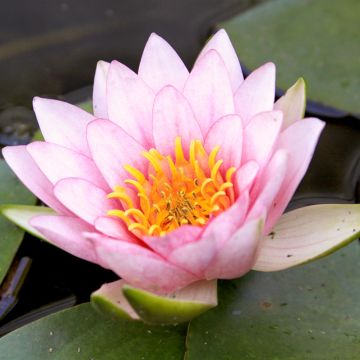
(177, 176)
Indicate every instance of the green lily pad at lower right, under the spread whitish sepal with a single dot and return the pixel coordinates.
(310, 312)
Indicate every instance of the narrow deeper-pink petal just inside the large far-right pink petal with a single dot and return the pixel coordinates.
(268, 185)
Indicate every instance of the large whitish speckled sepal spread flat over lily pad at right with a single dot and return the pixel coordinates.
(309, 233)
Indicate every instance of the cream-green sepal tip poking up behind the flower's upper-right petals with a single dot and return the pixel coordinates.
(293, 103)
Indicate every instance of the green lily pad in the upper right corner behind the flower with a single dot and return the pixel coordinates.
(318, 40)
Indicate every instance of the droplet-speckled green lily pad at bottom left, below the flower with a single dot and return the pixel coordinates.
(82, 333)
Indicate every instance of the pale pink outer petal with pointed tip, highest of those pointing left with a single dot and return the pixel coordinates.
(62, 123)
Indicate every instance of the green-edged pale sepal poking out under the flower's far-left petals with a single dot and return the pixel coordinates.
(21, 215)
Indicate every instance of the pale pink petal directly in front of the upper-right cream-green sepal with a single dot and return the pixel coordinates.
(260, 136)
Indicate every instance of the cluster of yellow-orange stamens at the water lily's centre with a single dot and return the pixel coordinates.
(175, 191)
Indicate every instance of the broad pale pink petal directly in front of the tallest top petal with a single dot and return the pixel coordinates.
(208, 90)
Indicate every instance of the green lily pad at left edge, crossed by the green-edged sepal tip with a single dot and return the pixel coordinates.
(11, 191)
